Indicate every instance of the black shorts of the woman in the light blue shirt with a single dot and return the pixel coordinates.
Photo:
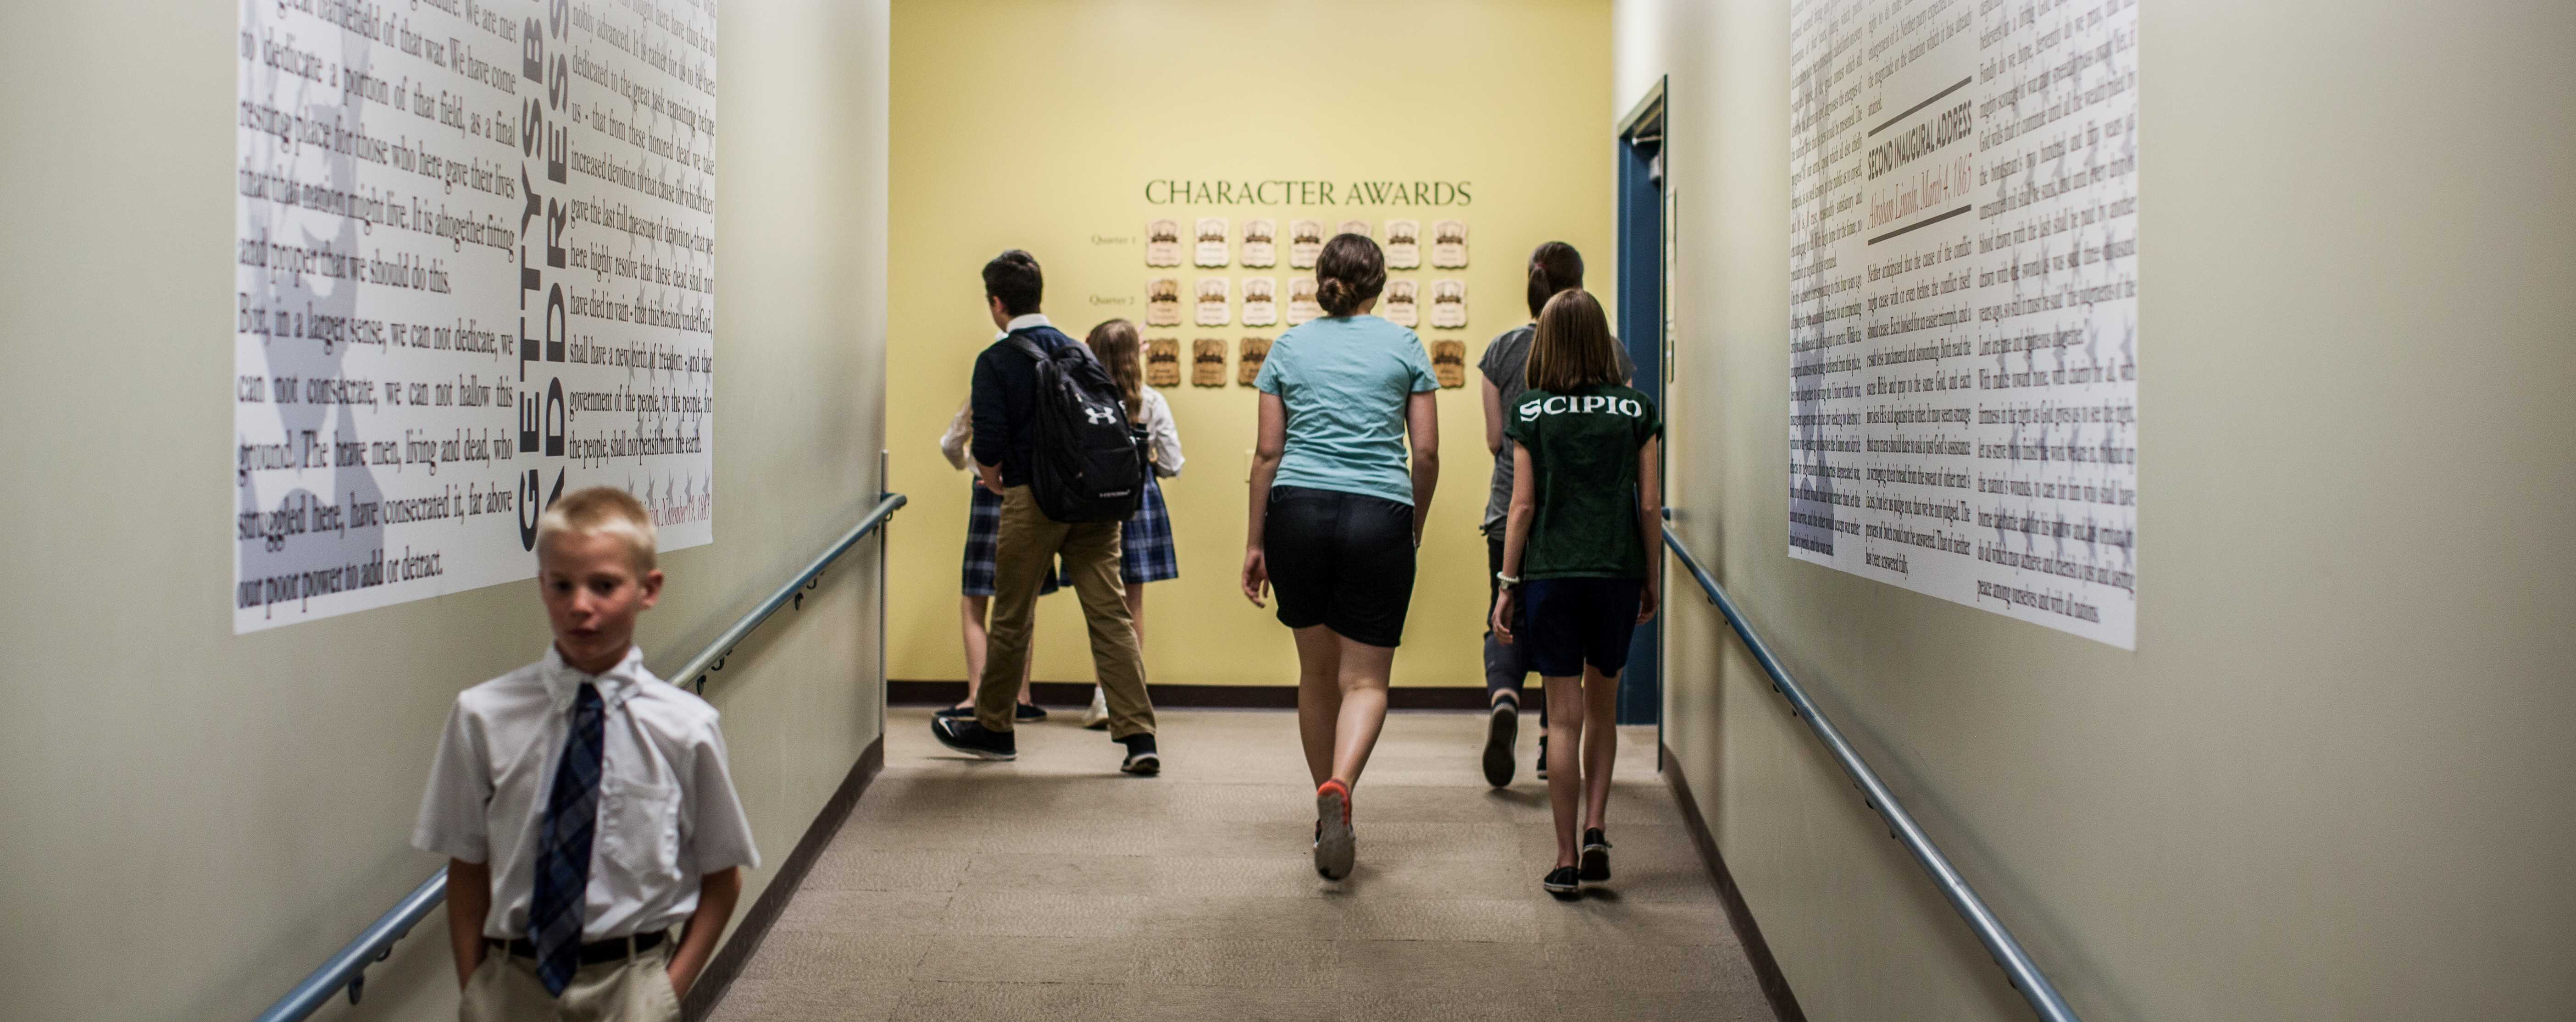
(1341, 560)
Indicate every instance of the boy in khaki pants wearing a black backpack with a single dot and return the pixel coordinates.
(1055, 444)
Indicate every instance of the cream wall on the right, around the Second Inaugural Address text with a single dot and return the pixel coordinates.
(2333, 779)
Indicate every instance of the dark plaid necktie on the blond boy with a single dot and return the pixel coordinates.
(563, 848)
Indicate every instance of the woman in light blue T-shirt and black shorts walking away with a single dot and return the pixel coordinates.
(1338, 516)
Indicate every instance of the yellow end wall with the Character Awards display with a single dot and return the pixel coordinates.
(1037, 125)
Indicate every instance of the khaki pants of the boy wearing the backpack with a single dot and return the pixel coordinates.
(1024, 555)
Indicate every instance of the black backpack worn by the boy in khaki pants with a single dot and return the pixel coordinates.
(1088, 460)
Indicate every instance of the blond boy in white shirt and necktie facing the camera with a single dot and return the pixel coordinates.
(583, 804)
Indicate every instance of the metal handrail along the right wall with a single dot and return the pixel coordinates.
(2018, 969)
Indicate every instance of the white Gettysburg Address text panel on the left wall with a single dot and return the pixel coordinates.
(475, 269)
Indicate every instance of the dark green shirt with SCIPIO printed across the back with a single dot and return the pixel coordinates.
(1583, 472)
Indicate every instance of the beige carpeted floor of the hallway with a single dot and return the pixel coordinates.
(1060, 889)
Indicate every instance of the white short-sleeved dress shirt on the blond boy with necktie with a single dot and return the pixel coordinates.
(668, 810)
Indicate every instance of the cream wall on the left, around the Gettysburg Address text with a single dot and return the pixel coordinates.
(194, 820)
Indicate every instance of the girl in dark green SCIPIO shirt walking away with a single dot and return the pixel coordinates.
(1578, 560)
